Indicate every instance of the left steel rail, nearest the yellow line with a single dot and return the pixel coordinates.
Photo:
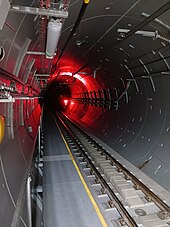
(127, 218)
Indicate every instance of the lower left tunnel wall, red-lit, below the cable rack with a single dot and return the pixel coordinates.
(16, 151)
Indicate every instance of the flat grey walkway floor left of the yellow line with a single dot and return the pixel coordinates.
(65, 201)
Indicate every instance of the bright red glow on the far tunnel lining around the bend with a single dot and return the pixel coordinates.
(79, 83)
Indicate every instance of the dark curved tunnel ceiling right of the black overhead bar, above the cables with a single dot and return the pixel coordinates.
(98, 43)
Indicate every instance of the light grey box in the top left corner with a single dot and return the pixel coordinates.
(4, 9)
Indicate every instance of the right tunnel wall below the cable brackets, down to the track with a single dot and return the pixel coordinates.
(138, 130)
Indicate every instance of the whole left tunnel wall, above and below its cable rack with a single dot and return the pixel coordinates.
(22, 117)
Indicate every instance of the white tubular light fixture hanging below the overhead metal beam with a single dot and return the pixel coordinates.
(53, 35)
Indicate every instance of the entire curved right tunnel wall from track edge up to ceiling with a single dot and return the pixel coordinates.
(139, 128)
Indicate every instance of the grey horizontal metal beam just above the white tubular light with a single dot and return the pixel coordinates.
(39, 11)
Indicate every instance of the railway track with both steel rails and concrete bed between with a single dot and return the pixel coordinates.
(122, 198)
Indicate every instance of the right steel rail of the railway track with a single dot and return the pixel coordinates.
(151, 195)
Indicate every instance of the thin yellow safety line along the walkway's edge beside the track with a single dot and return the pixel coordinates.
(83, 182)
